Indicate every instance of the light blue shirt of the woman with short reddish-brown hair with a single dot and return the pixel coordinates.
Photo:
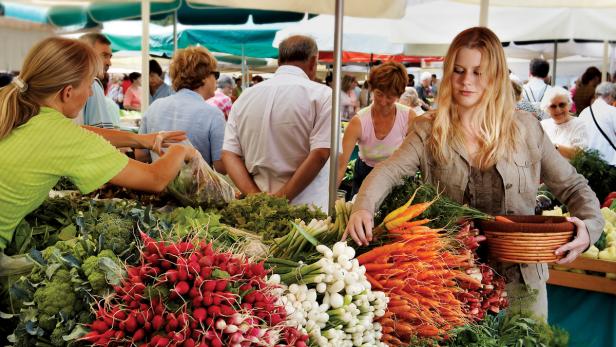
(186, 110)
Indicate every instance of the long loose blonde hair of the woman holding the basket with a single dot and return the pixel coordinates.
(494, 116)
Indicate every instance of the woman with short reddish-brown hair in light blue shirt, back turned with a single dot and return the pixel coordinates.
(193, 74)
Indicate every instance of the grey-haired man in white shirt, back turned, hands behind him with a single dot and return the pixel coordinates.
(277, 137)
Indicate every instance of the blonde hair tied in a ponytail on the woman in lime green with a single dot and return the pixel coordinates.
(51, 65)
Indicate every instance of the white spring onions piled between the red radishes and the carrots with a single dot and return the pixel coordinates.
(331, 299)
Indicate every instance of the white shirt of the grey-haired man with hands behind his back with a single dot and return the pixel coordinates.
(275, 124)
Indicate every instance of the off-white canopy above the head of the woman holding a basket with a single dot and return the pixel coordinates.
(438, 22)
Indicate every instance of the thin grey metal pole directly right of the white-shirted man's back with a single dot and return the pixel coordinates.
(333, 153)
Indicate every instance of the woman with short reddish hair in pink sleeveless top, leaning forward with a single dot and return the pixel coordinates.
(380, 128)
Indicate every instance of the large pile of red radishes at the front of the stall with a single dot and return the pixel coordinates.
(186, 295)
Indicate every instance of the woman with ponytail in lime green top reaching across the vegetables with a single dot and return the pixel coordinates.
(39, 142)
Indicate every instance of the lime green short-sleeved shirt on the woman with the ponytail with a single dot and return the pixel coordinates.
(36, 154)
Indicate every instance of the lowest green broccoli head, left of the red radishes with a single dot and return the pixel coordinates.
(57, 296)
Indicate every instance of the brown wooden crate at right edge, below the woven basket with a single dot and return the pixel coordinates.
(586, 281)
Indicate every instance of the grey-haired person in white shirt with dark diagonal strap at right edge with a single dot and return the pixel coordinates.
(605, 116)
